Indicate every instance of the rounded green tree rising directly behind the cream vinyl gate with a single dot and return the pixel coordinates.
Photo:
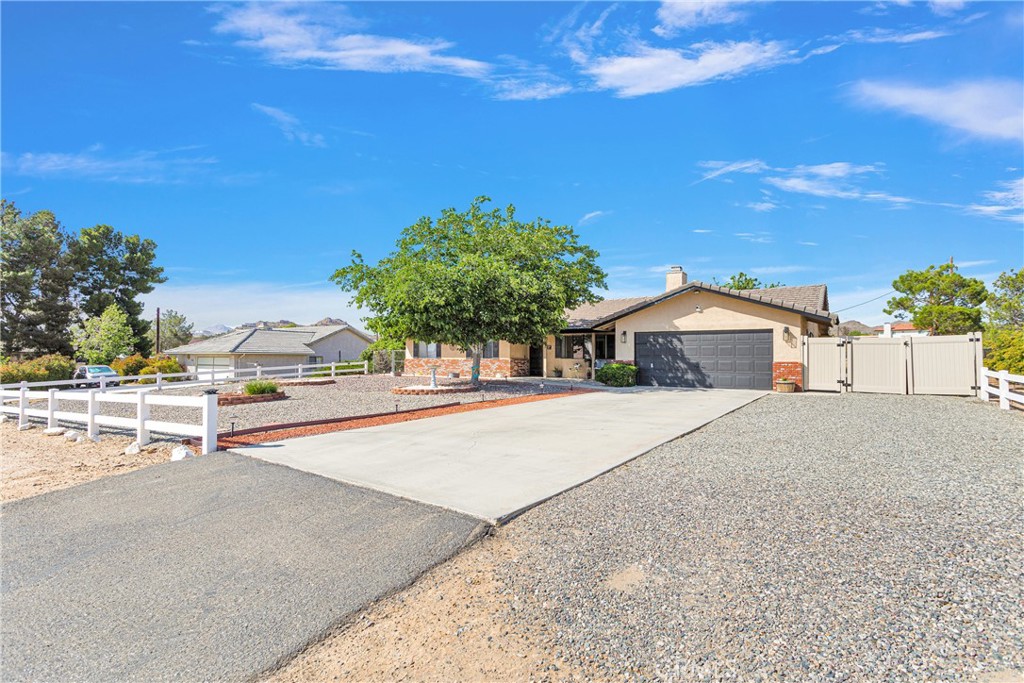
(938, 300)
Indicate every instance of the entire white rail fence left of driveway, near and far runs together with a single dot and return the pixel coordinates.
(145, 396)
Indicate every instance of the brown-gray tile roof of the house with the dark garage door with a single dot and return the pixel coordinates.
(812, 301)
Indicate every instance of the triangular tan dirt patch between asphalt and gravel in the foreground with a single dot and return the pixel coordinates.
(458, 623)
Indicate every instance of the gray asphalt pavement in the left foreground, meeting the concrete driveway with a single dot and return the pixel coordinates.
(212, 569)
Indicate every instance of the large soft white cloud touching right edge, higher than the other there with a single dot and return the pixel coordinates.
(990, 109)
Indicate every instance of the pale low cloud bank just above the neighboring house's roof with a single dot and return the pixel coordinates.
(237, 303)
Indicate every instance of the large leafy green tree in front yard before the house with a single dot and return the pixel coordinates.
(474, 277)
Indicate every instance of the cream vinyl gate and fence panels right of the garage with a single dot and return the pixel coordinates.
(948, 365)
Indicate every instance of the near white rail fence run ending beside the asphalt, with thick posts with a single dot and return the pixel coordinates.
(142, 401)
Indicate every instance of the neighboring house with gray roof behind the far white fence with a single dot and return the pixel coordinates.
(247, 349)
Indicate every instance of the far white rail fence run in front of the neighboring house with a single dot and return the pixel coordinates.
(207, 376)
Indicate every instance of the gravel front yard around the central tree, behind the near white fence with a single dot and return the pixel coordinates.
(360, 395)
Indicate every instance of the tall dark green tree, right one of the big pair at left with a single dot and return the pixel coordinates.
(113, 269)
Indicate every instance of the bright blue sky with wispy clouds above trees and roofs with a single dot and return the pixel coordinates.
(259, 145)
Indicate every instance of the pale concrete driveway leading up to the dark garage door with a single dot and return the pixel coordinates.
(496, 463)
